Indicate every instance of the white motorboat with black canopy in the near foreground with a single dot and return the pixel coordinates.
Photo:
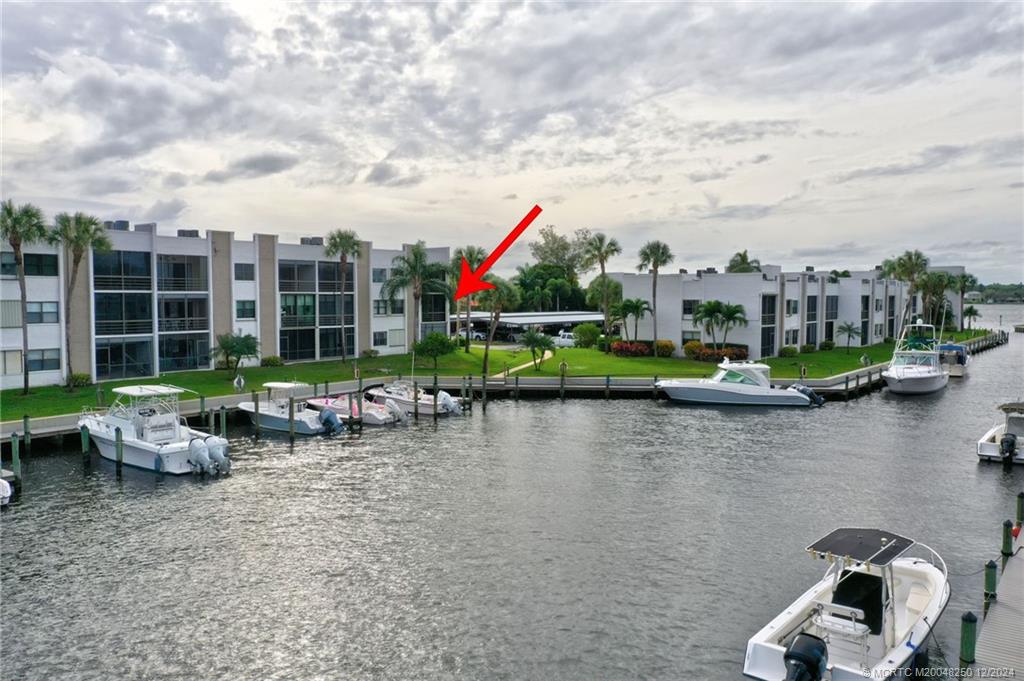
(869, 618)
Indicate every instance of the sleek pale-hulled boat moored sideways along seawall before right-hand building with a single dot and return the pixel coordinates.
(739, 384)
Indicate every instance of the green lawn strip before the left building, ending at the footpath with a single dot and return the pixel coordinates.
(52, 401)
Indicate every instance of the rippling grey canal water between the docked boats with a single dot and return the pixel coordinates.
(544, 540)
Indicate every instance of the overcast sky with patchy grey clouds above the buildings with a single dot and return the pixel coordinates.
(812, 135)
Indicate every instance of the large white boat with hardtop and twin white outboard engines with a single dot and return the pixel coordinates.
(154, 435)
